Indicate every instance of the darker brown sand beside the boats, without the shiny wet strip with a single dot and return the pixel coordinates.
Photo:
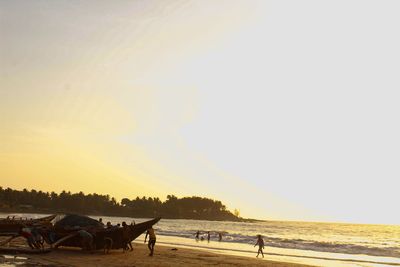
(164, 256)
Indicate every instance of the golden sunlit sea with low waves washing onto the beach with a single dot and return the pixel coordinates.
(322, 244)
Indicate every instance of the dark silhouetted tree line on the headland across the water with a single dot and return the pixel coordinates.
(95, 204)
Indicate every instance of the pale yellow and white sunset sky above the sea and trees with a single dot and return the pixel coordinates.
(284, 110)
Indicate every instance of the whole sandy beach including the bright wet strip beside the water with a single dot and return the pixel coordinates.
(165, 255)
